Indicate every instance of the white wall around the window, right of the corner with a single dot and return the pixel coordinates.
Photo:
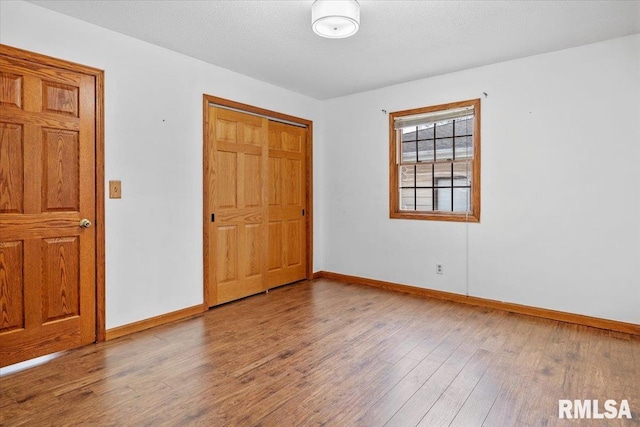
(560, 224)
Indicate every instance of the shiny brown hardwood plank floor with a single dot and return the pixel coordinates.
(329, 353)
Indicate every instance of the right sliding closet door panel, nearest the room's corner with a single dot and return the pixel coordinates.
(287, 204)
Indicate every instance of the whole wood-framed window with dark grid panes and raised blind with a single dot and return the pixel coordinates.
(435, 162)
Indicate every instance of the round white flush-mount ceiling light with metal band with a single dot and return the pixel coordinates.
(335, 19)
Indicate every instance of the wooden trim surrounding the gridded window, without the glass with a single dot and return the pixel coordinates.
(394, 198)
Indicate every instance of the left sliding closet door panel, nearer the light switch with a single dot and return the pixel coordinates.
(238, 227)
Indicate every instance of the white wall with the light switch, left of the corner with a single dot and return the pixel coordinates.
(153, 143)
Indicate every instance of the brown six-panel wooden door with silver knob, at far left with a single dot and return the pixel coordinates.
(47, 186)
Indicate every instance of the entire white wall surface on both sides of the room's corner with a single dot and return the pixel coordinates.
(555, 232)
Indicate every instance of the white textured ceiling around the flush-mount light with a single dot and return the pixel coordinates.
(398, 40)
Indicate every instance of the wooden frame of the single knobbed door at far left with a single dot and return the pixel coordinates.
(99, 222)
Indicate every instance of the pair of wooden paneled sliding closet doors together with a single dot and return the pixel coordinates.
(256, 214)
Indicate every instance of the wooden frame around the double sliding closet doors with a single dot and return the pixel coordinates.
(207, 100)
